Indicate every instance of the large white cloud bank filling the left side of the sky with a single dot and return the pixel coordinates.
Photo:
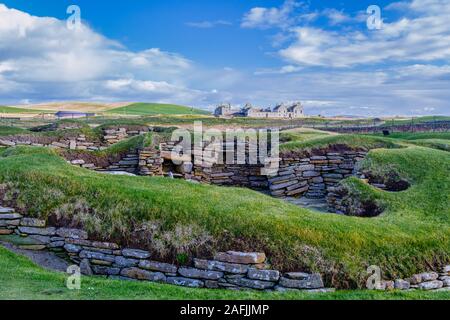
(40, 54)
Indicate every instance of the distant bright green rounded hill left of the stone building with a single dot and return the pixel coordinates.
(144, 109)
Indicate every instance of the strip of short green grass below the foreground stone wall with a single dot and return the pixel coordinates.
(22, 280)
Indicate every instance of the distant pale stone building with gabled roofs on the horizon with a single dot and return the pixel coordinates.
(281, 111)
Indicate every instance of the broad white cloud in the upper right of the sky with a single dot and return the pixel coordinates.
(423, 37)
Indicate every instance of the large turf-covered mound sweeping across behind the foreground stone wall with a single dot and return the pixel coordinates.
(178, 220)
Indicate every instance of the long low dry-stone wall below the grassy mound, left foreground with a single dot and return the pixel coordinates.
(228, 270)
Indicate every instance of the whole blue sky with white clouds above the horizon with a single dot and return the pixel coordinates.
(205, 52)
